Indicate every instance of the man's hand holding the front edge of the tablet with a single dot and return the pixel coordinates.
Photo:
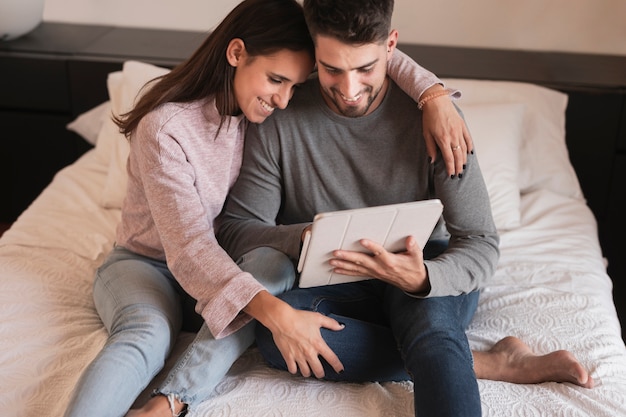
(405, 270)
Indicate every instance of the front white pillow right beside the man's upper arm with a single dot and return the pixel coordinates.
(497, 133)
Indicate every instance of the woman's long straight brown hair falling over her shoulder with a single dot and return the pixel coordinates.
(265, 26)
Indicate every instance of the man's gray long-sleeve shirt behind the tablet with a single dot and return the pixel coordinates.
(308, 159)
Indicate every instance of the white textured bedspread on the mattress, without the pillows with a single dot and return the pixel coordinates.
(551, 290)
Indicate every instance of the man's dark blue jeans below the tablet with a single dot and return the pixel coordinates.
(390, 336)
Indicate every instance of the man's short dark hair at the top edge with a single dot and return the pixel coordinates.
(350, 21)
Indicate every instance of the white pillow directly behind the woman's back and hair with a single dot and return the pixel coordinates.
(124, 88)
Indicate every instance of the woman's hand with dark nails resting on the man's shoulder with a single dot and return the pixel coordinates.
(444, 127)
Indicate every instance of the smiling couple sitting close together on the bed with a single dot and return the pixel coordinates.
(351, 137)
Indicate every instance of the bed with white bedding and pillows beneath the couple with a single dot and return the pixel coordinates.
(551, 288)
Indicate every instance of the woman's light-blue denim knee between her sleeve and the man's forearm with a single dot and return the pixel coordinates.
(270, 267)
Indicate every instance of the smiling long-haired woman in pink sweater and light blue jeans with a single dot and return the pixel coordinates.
(186, 135)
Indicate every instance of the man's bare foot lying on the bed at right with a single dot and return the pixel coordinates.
(511, 360)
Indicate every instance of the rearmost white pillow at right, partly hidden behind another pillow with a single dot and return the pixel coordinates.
(544, 159)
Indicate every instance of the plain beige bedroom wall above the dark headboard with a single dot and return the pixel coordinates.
(589, 26)
